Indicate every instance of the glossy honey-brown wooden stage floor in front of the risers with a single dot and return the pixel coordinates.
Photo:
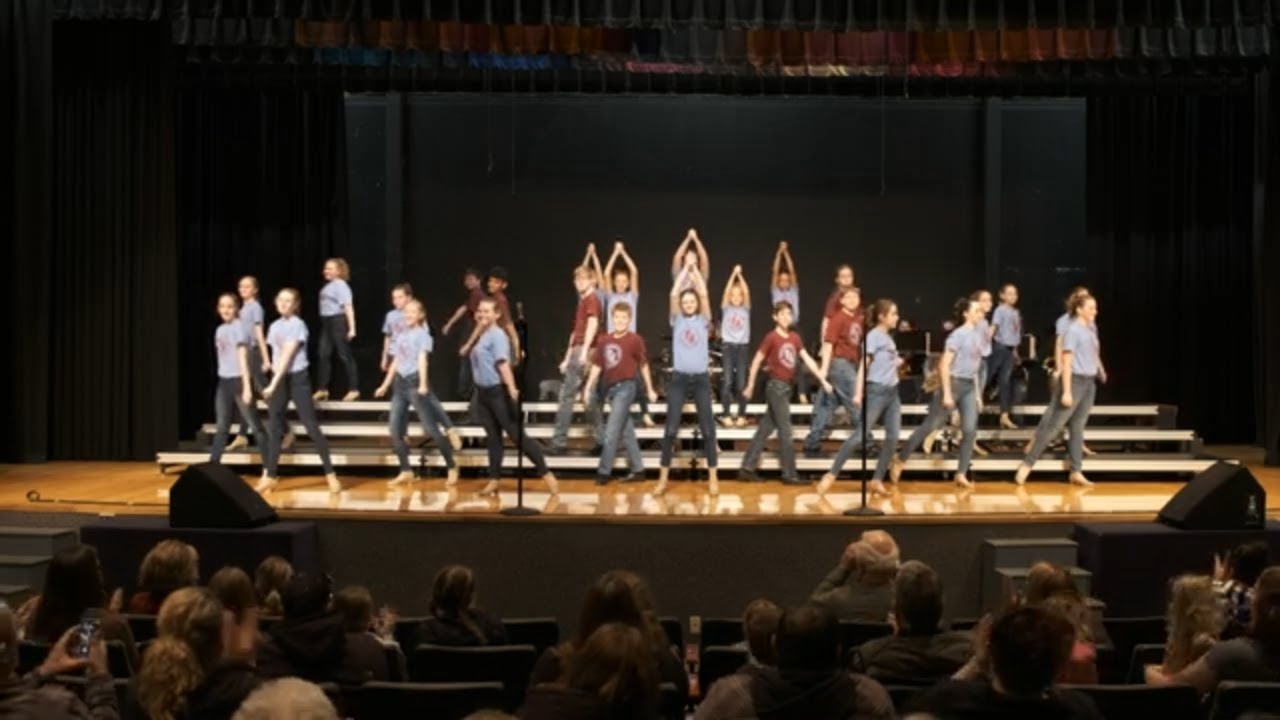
(139, 489)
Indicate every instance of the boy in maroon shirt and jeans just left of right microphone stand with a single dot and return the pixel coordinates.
(842, 349)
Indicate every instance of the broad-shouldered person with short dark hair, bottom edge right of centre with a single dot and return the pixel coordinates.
(810, 680)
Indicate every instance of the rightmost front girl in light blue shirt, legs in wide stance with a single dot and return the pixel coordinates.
(1081, 371)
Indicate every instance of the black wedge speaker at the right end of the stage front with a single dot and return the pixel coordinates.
(1223, 498)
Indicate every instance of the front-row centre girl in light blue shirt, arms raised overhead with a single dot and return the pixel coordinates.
(691, 326)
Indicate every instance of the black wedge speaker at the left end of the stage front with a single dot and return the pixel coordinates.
(213, 496)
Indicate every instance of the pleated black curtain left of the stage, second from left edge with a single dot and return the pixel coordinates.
(113, 363)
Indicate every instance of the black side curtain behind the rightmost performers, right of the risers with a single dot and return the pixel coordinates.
(1171, 234)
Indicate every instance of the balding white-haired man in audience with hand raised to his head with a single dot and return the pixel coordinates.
(861, 586)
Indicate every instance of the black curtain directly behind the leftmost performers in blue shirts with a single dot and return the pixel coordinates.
(262, 190)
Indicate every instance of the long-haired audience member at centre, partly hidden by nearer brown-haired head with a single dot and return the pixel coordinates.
(624, 598)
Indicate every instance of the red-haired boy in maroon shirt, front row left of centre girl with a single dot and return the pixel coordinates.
(620, 358)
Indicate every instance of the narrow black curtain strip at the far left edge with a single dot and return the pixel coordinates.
(26, 72)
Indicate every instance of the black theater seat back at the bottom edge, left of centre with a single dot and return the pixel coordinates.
(440, 701)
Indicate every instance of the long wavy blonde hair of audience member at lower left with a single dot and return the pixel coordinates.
(189, 644)
